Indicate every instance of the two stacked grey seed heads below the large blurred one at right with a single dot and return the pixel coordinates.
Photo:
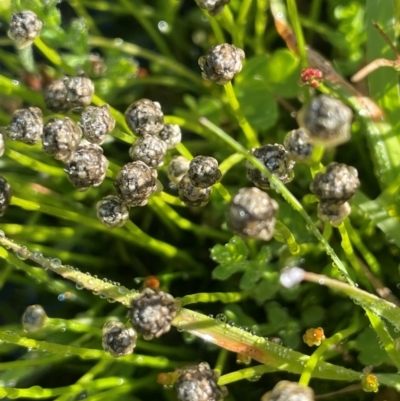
(334, 187)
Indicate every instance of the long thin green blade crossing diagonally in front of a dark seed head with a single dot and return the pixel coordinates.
(279, 187)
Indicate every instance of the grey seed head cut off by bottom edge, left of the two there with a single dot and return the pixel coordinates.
(199, 383)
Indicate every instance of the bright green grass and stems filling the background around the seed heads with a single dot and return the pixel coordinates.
(229, 289)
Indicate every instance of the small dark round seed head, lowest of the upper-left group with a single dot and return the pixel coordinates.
(112, 212)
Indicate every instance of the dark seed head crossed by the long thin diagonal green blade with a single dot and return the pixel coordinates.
(276, 159)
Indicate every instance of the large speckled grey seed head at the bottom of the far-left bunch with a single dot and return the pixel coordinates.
(87, 167)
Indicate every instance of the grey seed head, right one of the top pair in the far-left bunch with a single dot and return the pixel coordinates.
(80, 91)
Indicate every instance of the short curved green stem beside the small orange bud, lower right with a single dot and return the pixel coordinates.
(326, 344)
